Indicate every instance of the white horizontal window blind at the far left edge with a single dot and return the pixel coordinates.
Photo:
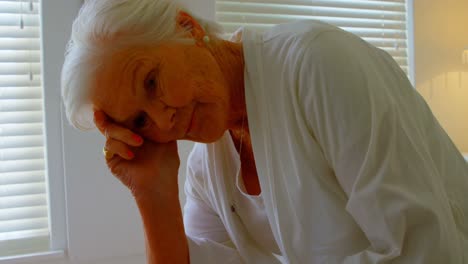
(24, 225)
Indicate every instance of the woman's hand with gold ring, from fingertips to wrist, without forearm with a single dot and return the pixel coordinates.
(145, 167)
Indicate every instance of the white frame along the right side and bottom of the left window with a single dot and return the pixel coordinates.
(52, 40)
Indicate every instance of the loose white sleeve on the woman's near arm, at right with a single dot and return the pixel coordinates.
(352, 96)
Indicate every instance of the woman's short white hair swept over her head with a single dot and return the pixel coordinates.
(105, 26)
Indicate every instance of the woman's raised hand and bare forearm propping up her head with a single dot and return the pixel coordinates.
(149, 170)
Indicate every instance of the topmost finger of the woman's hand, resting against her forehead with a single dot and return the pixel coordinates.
(113, 131)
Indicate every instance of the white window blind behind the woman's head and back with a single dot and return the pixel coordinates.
(382, 23)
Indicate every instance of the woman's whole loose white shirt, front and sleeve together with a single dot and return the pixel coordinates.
(353, 166)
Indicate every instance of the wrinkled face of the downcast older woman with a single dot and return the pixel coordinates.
(164, 93)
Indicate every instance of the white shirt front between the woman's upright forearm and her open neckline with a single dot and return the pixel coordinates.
(208, 213)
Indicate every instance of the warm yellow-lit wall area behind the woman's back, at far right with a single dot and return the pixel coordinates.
(440, 29)
